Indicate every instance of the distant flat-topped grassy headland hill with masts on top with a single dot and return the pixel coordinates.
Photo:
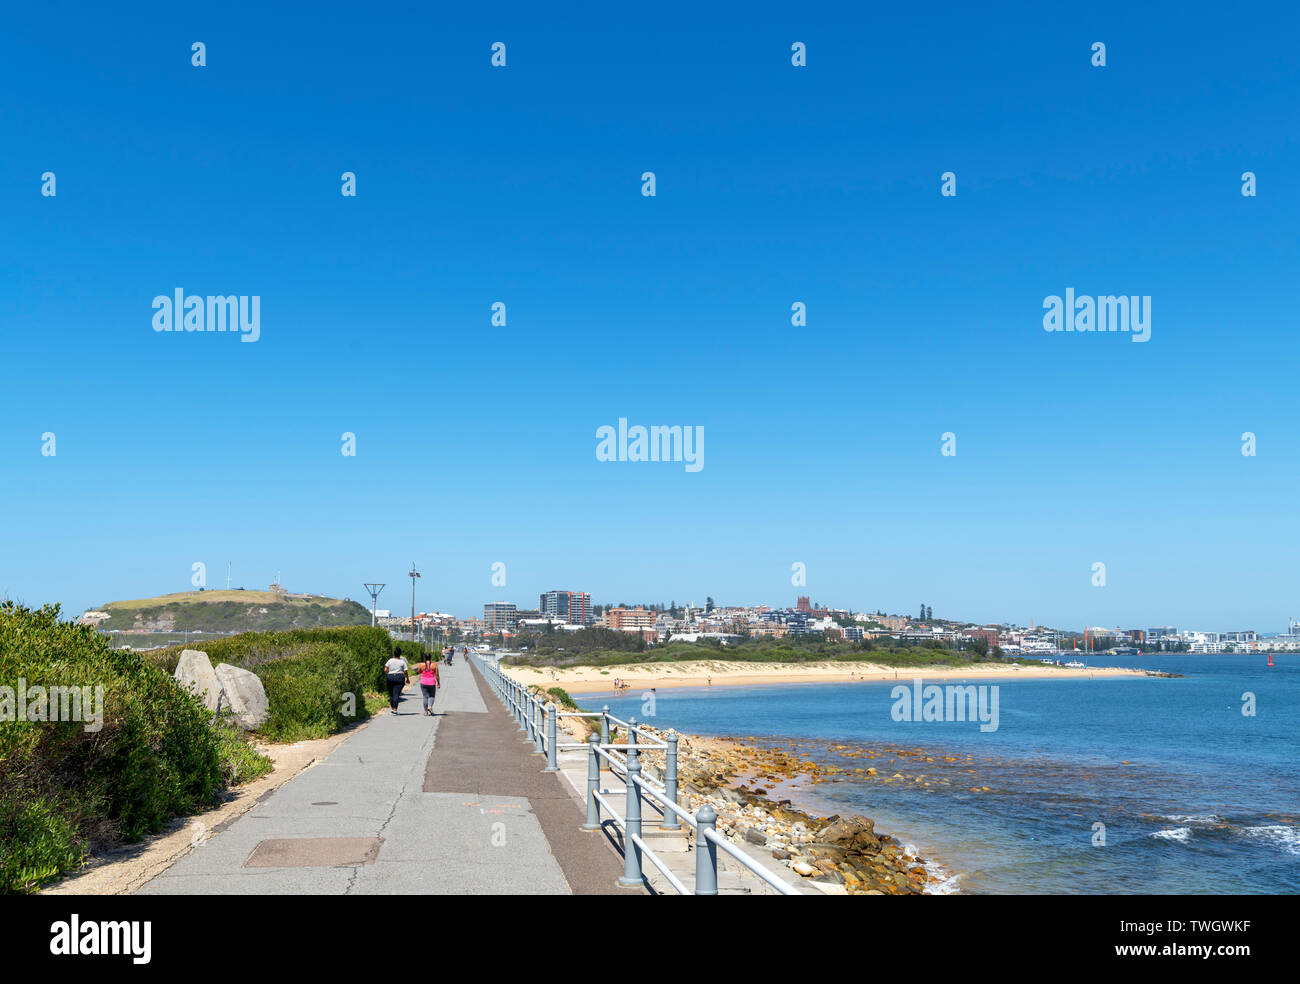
(232, 612)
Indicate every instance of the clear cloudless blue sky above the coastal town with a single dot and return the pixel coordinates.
(775, 185)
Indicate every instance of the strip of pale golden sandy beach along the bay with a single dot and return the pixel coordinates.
(642, 677)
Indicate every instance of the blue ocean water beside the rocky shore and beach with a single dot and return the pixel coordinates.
(1195, 797)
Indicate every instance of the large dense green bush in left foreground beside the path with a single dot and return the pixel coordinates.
(66, 791)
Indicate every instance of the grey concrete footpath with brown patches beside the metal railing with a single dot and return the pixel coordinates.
(456, 804)
